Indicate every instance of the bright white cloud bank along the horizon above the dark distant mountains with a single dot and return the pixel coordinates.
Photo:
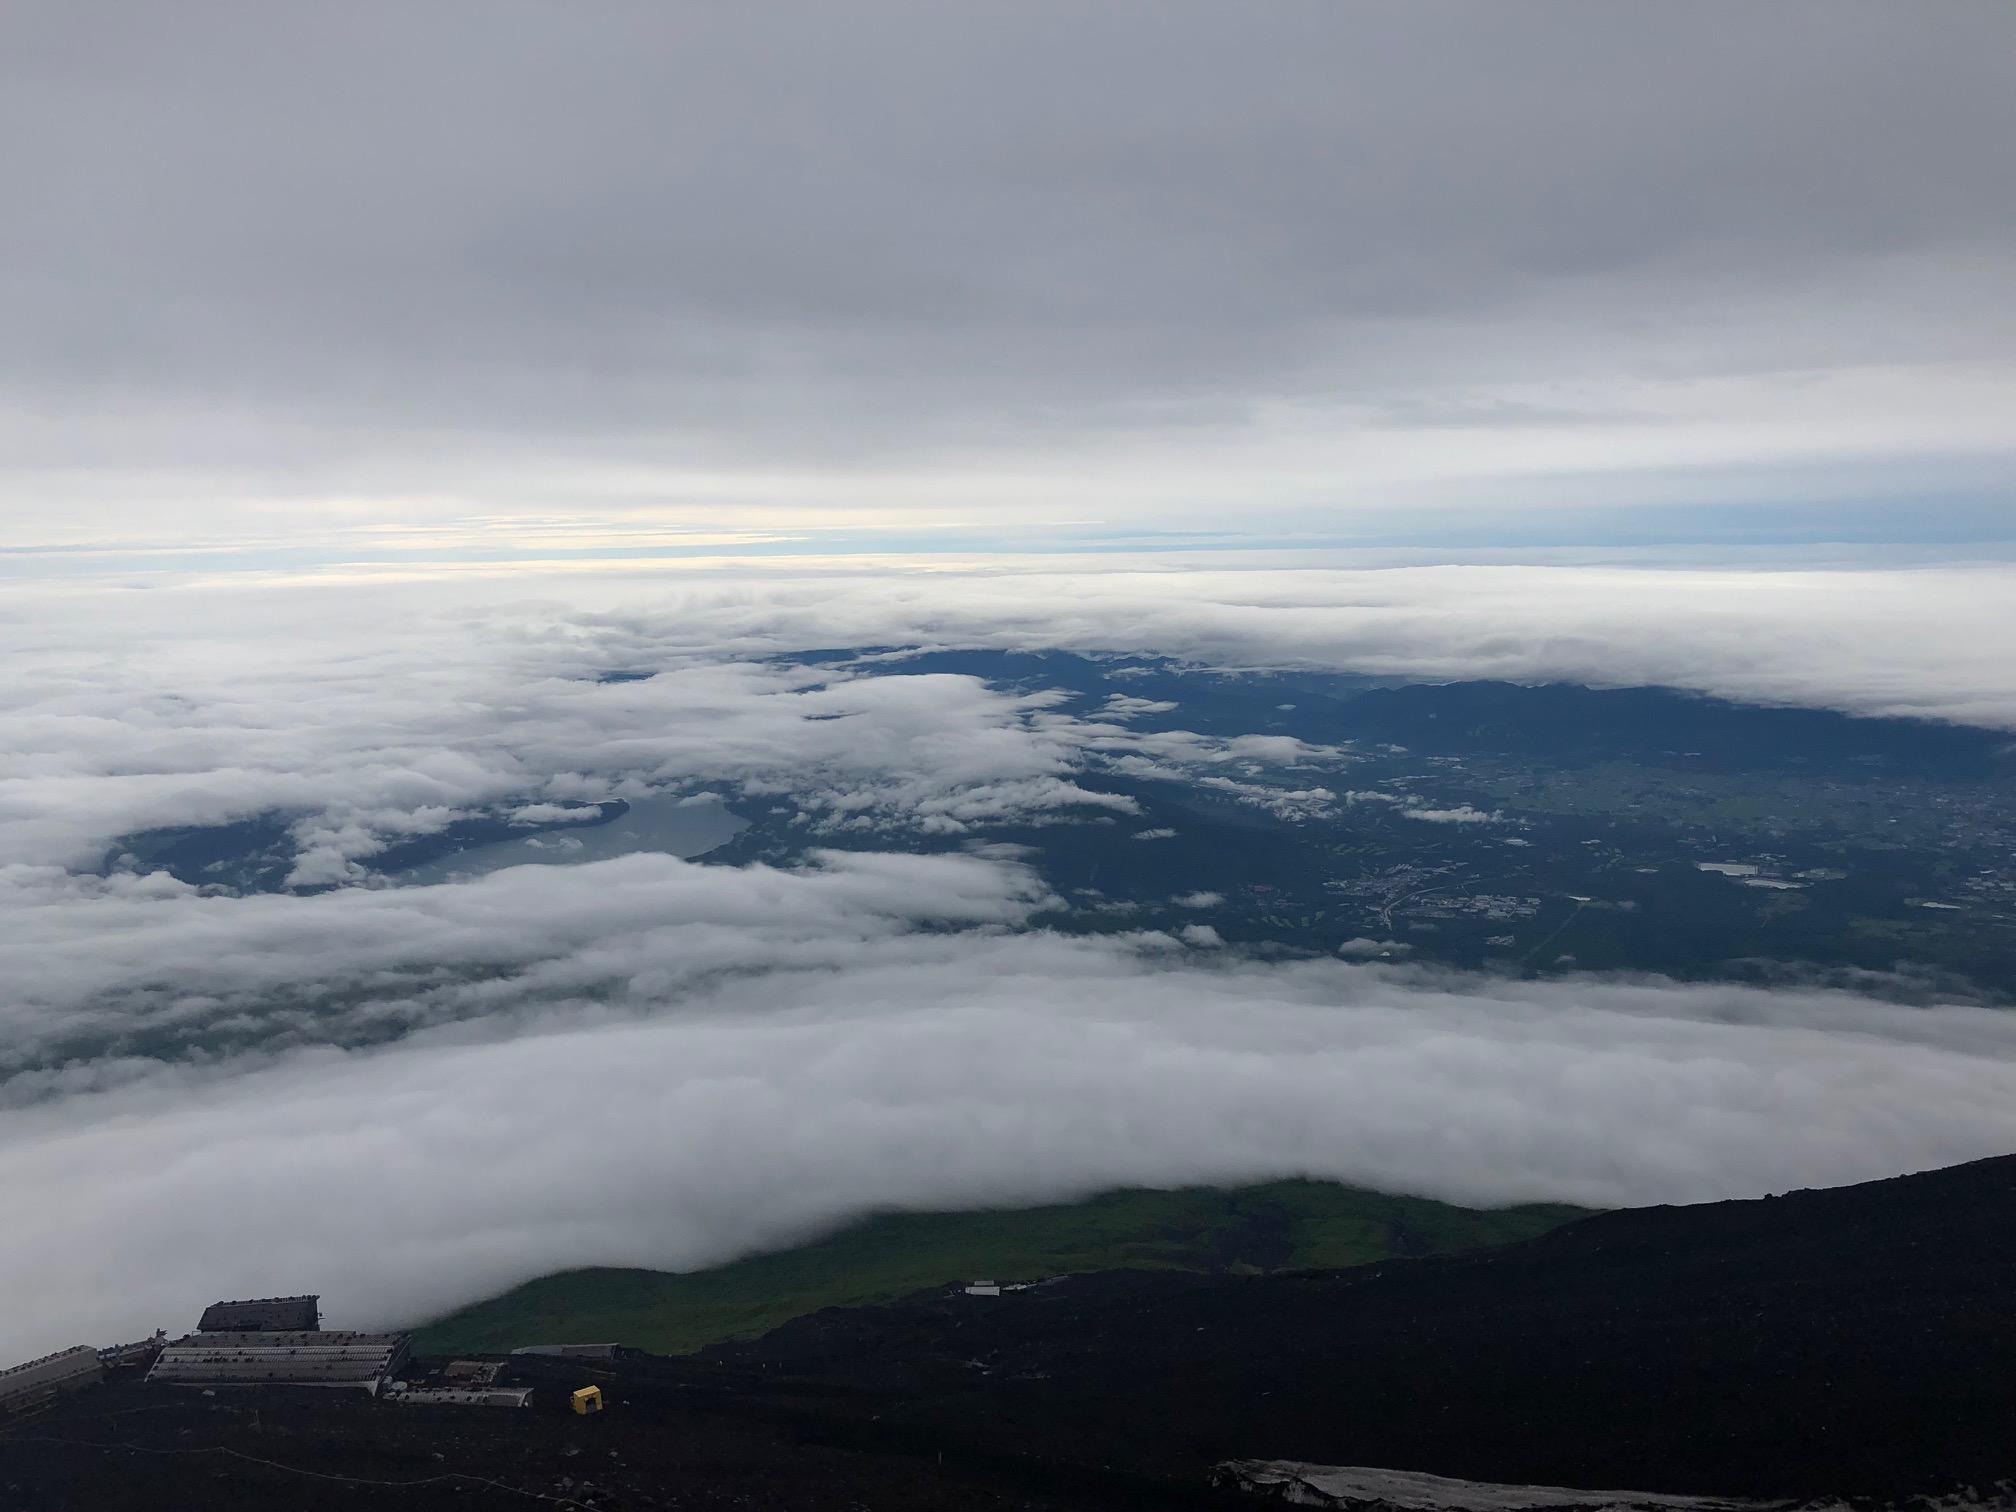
(1920, 642)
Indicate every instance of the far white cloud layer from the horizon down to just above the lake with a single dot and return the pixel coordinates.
(380, 711)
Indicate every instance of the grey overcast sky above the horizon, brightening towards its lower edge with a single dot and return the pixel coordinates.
(1047, 269)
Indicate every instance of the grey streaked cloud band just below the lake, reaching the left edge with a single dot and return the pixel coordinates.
(108, 981)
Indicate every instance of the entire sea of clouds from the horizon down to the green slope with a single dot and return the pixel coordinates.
(408, 1098)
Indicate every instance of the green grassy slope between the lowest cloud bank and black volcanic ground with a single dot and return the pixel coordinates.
(1275, 1227)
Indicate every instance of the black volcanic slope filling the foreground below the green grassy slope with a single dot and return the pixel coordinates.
(1830, 1344)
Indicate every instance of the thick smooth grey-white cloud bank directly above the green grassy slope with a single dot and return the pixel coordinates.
(1011, 1069)
